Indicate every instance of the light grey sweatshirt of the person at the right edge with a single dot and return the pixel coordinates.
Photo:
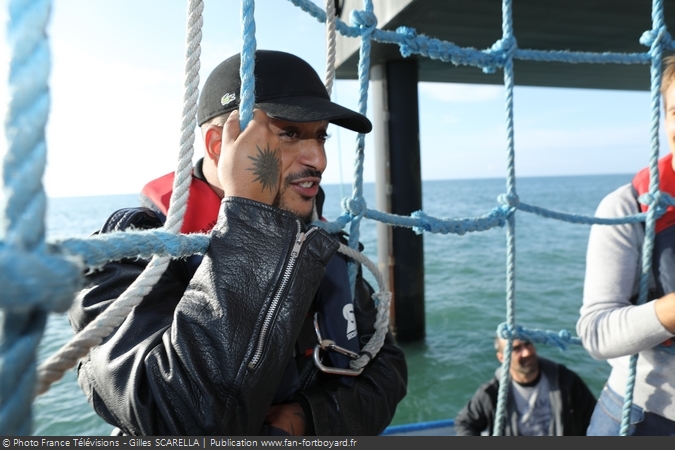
(610, 327)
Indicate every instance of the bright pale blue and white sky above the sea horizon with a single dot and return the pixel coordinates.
(117, 100)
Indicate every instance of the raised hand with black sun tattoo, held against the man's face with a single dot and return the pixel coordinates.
(250, 161)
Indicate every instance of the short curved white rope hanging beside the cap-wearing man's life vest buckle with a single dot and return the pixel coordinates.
(382, 299)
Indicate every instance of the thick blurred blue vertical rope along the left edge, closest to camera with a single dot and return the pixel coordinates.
(22, 225)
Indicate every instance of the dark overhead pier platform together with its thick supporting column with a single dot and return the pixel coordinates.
(574, 25)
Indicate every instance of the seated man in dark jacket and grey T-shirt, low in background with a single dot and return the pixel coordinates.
(544, 398)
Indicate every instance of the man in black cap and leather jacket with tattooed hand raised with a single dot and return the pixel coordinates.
(223, 344)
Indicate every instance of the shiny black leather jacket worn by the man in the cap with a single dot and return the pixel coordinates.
(202, 354)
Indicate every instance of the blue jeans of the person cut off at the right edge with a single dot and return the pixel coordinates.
(606, 419)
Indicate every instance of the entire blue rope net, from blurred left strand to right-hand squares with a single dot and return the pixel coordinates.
(39, 277)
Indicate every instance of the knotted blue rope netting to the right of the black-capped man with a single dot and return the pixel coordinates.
(501, 56)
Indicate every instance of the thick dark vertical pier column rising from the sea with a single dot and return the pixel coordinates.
(399, 191)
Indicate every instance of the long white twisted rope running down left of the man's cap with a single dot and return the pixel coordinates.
(92, 335)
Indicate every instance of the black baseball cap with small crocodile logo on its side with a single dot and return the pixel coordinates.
(286, 87)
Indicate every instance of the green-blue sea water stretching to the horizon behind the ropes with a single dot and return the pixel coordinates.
(465, 291)
